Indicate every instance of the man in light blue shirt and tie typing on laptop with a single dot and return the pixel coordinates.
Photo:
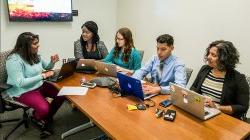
(163, 68)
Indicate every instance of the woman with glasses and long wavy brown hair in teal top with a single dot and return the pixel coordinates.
(124, 54)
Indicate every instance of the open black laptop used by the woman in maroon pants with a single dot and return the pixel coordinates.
(66, 70)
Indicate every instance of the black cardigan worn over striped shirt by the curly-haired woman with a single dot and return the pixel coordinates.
(235, 91)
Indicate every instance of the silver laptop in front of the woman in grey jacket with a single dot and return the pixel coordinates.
(86, 66)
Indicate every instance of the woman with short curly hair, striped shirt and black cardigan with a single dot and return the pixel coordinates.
(224, 87)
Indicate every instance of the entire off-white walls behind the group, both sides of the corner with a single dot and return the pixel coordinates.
(193, 23)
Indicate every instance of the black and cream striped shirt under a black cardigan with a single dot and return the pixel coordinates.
(212, 87)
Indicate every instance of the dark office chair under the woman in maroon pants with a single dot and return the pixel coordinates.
(6, 102)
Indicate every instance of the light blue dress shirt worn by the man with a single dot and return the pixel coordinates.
(173, 71)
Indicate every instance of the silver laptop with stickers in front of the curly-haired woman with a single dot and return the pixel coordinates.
(191, 102)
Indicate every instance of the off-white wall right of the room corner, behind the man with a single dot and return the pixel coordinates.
(193, 23)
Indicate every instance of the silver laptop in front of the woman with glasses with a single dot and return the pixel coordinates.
(107, 69)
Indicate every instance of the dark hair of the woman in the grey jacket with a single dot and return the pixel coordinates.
(91, 26)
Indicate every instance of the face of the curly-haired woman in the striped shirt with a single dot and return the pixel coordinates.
(212, 58)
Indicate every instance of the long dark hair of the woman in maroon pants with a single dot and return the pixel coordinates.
(23, 48)
